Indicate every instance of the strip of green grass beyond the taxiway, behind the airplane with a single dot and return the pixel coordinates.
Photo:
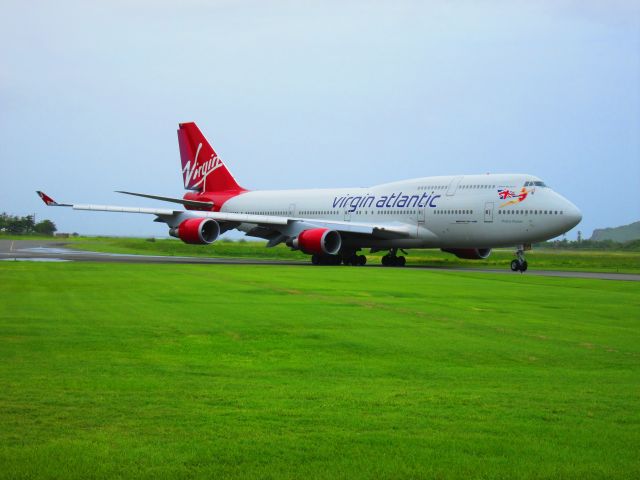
(543, 259)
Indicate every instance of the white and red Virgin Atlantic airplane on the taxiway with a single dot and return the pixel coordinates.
(465, 215)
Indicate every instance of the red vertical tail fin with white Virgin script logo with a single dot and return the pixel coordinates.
(202, 169)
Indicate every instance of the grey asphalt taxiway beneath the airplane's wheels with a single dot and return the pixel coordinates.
(52, 251)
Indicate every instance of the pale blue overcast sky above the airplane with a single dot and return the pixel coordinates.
(316, 94)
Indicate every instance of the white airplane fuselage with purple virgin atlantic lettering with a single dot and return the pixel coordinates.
(476, 211)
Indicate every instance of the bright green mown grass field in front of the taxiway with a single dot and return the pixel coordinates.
(182, 371)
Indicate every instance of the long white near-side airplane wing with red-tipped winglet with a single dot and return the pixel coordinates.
(282, 226)
